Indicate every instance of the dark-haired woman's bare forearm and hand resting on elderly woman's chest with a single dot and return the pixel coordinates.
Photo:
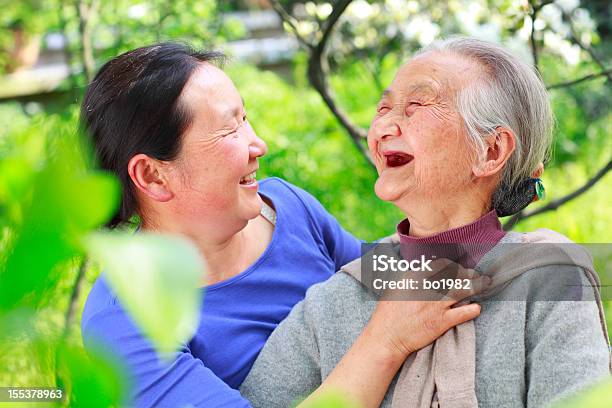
(398, 328)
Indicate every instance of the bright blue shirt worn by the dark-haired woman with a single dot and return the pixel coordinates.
(237, 315)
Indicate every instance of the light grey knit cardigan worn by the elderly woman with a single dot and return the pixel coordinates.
(528, 354)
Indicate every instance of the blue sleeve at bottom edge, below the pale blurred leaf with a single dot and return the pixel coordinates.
(185, 381)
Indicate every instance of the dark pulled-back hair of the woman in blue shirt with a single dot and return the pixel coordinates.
(132, 106)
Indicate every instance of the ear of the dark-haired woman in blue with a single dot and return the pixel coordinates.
(147, 176)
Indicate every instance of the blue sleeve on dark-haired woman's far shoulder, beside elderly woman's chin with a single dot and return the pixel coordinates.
(341, 246)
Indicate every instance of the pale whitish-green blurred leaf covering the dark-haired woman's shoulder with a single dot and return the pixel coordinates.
(157, 279)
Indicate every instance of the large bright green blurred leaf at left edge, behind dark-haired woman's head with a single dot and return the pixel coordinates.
(64, 200)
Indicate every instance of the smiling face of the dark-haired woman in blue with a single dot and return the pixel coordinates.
(213, 175)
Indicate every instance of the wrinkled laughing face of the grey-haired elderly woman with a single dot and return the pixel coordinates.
(416, 137)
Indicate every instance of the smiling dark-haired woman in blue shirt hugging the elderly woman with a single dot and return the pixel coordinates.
(173, 128)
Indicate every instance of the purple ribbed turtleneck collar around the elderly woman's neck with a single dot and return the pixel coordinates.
(466, 244)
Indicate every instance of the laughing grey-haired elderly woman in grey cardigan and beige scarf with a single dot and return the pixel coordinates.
(458, 138)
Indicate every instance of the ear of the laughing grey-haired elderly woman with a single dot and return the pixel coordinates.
(499, 147)
